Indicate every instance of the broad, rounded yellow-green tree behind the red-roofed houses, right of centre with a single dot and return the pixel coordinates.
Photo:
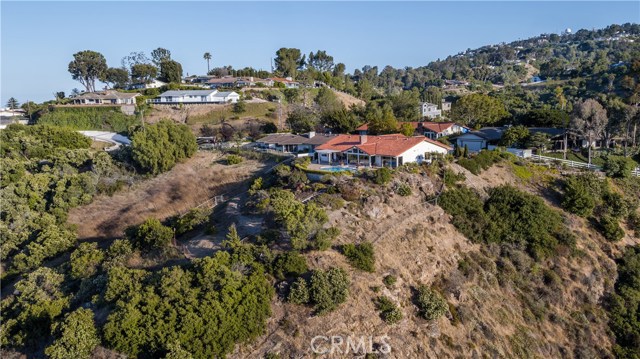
(478, 110)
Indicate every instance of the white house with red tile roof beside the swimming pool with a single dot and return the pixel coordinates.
(379, 151)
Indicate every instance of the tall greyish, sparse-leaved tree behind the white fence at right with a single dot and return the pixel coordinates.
(589, 120)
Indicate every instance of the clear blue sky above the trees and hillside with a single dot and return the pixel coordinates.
(38, 39)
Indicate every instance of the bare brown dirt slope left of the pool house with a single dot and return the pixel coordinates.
(184, 187)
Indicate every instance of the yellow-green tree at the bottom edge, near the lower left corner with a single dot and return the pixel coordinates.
(77, 336)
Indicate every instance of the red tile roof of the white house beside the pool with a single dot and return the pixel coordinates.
(387, 145)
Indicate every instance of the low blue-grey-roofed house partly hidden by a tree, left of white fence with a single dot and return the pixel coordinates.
(480, 139)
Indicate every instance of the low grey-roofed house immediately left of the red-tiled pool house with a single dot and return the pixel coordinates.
(291, 143)
